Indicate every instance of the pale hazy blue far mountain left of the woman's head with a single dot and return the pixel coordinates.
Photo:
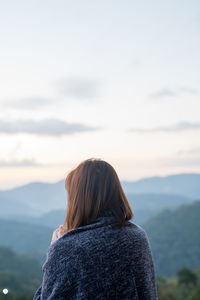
(34, 199)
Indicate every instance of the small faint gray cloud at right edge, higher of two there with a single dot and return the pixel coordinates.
(171, 93)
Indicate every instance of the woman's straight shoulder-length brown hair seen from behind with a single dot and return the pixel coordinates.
(93, 187)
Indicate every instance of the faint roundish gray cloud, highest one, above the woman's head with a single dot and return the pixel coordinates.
(79, 88)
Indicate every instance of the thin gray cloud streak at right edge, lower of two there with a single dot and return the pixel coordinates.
(182, 126)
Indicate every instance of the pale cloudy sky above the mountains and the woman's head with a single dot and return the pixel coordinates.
(109, 79)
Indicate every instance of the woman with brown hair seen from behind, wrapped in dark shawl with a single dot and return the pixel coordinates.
(102, 255)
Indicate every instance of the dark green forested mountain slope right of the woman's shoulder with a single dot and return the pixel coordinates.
(175, 239)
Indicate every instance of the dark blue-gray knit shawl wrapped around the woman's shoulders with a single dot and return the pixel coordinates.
(99, 261)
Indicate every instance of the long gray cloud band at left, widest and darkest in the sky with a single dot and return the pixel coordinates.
(51, 127)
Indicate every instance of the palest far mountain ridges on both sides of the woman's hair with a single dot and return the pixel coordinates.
(152, 194)
